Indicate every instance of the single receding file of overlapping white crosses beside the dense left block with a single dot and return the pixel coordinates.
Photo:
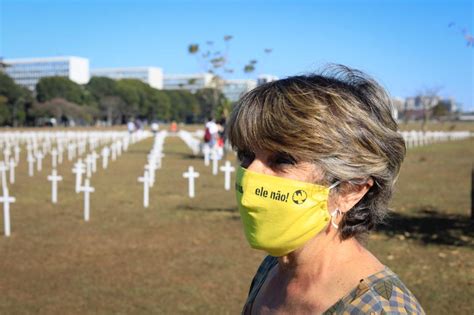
(153, 163)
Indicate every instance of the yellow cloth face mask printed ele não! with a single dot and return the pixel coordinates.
(280, 214)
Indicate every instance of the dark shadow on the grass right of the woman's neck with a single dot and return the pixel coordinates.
(431, 227)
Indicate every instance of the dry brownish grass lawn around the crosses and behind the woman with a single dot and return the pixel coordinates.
(183, 256)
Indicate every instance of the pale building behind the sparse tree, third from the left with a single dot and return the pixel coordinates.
(189, 82)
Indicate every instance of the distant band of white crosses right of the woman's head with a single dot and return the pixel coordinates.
(419, 138)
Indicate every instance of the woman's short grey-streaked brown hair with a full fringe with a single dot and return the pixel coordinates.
(340, 119)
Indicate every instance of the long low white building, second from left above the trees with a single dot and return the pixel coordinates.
(150, 75)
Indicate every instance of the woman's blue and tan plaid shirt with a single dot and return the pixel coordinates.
(380, 293)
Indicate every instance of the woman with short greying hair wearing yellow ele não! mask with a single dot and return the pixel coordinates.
(319, 157)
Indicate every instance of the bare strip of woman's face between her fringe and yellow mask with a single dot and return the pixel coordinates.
(283, 165)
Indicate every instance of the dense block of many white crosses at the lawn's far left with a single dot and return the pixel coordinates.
(39, 144)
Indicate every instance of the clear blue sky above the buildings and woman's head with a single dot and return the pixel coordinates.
(405, 44)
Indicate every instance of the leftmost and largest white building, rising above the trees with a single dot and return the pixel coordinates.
(28, 71)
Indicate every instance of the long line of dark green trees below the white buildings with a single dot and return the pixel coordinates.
(104, 100)
